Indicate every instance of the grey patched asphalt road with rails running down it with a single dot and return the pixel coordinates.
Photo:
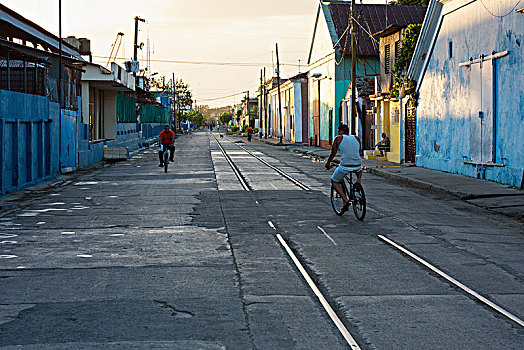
(127, 257)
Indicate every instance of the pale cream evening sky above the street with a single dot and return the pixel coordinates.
(234, 31)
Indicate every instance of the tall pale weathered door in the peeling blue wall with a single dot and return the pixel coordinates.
(481, 102)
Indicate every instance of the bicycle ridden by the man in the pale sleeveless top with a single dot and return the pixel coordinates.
(355, 194)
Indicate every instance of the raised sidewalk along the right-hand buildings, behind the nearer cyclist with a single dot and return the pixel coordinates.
(482, 193)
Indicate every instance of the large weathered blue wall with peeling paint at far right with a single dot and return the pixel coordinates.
(450, 95)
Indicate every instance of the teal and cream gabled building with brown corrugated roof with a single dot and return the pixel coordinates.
(329, 62)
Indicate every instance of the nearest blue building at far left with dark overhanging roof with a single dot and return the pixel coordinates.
(37, 133)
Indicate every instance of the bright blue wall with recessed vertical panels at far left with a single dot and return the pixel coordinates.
(29, 141)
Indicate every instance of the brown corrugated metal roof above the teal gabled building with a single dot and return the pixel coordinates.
(374, 18)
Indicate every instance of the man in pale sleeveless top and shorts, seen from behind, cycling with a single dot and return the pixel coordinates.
(349, 146)
